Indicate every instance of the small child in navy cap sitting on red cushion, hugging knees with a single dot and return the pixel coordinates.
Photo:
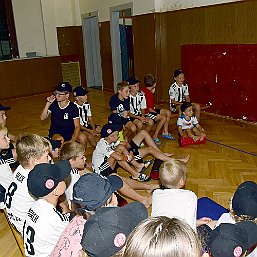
(188, 125)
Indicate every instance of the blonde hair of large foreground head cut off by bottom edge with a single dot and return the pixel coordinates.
(162, 237)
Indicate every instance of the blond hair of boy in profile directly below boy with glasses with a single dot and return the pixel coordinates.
(71, 150)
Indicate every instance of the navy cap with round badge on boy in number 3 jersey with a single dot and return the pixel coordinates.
(45, 177)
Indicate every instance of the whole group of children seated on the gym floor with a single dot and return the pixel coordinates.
(63, 209)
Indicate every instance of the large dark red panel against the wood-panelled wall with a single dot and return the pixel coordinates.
(224, 75)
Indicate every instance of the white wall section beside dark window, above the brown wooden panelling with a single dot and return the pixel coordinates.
(35, 25)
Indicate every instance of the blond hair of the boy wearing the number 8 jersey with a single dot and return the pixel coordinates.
(31, 146)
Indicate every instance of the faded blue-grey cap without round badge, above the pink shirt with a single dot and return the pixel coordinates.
(92, 190)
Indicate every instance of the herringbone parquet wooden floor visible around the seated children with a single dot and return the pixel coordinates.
(214, 170)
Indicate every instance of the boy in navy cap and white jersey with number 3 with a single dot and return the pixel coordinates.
(44, 223)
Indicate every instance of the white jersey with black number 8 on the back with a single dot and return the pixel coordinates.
(18, 199)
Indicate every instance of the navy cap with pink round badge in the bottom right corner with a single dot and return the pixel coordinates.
(229, 240)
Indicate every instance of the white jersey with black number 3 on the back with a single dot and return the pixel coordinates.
(43, 227)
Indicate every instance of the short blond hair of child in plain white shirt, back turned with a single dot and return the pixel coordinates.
(171, 172)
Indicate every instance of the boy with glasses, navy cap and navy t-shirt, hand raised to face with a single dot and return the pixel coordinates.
(65, 125)
